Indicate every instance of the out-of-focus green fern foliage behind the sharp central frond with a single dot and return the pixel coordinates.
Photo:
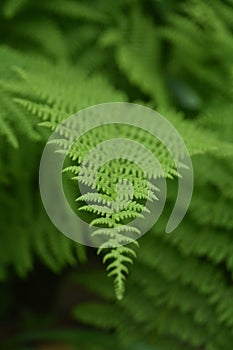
(58, 57)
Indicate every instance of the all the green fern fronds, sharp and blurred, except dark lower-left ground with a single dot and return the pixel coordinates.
(58, 57)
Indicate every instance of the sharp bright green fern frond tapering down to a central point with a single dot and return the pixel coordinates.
(54, 102)
